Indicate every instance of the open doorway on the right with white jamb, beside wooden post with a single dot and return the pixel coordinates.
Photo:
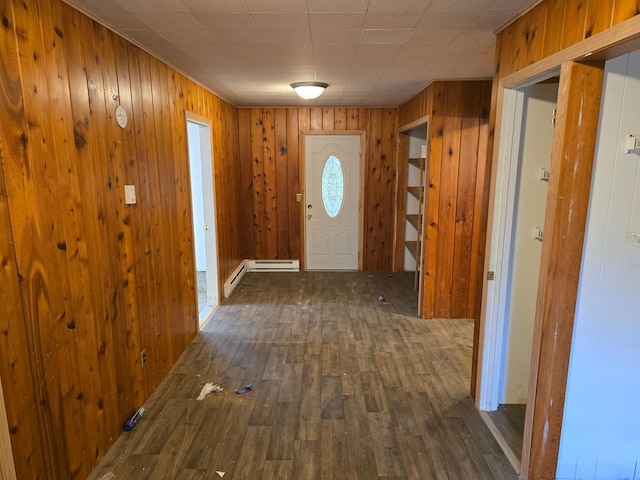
(521, 196)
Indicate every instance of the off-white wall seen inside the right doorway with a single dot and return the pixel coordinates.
(530, 202)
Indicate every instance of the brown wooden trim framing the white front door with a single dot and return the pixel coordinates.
(302, 160)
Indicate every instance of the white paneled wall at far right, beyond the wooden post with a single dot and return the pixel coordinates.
(601, 426)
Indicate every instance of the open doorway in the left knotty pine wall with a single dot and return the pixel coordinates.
(203, 208)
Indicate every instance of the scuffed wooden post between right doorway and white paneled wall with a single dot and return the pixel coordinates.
(565, 221)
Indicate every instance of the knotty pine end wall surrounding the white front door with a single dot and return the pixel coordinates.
(271, 145)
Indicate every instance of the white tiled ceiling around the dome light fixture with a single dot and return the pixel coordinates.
(370, 52)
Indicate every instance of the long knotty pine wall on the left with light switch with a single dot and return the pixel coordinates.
(87, 282)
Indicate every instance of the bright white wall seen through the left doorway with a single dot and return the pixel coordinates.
(196, 195)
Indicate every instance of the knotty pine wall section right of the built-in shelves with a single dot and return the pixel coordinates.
(455, 208)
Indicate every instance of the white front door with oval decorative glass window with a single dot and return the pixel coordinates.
(332, 189)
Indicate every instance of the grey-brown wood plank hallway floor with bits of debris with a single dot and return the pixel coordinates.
(345, 386)
